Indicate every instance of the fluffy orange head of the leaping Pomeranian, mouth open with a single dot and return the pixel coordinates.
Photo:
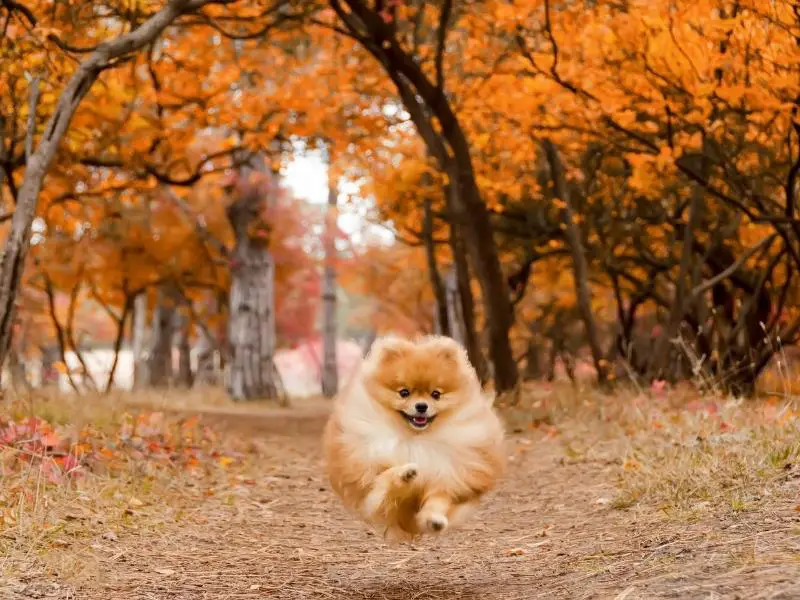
(422, 381)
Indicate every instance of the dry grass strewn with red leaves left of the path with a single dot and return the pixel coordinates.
(127, 480)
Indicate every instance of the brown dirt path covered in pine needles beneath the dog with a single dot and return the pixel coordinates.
(548, 532)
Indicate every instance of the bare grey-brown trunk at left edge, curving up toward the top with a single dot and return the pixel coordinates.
(38, 162)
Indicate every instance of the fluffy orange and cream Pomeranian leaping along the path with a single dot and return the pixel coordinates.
(413, 443)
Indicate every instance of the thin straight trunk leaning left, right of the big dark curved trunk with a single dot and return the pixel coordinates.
(579, 264)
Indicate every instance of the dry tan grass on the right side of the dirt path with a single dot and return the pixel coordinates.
(674, 450)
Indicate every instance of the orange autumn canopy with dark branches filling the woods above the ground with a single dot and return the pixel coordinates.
(612, 181)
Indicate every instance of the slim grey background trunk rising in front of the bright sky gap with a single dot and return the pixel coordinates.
(330, 373)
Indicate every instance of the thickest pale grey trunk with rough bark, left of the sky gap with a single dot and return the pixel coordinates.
(251, 325)
